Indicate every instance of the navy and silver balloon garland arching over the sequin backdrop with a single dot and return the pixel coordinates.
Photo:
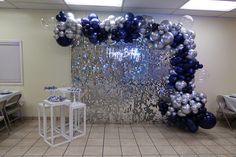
(184, 108)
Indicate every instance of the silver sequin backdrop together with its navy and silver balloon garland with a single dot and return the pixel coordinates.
(130, 66)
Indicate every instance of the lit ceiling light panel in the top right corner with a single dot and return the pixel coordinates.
(212, 5)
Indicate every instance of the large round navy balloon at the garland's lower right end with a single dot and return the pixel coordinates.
(208, 121)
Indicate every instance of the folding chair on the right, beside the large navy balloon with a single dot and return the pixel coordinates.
(224, 111)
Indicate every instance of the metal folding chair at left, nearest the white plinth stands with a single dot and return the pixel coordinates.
(13, 109)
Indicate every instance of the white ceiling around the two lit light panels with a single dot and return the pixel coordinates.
(144, 6)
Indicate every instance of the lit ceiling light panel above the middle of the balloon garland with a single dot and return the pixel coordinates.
(114, 3)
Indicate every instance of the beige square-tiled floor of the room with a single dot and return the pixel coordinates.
(116, 140)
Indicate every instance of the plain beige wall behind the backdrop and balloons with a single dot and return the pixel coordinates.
(46, 63)
